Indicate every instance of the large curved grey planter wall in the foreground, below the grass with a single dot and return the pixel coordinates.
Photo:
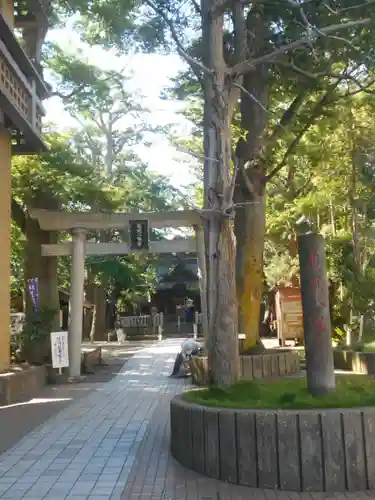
(297, 450)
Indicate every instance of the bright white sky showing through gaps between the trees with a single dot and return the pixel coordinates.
(151, 74)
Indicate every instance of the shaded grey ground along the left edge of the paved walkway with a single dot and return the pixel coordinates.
(19, 419)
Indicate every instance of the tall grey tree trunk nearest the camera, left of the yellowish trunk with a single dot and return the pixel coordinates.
(222, 345)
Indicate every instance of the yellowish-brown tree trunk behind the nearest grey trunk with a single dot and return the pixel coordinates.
(250, 192)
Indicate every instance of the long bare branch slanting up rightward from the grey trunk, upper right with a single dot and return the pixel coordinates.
(250, 64)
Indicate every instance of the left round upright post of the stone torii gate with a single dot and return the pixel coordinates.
(77, 283)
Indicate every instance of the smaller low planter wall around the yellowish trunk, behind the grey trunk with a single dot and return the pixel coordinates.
(273, 363)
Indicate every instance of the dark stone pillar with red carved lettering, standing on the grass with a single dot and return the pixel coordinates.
(316, 314)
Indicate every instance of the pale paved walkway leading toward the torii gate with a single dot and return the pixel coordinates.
(114, 445)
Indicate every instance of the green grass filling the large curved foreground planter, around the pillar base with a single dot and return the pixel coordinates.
(351, 391)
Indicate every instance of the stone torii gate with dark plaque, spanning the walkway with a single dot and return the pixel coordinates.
(79, 223)
